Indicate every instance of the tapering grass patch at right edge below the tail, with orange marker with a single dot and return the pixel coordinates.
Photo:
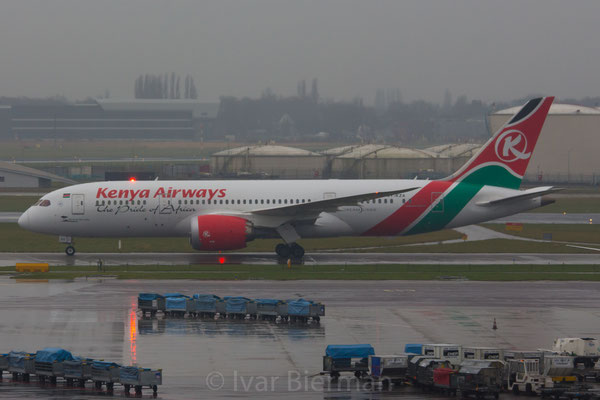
(579, 233)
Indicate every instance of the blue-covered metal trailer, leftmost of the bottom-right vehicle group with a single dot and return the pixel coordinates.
(347, 358)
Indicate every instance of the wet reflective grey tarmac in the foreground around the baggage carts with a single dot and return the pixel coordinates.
(238, 359)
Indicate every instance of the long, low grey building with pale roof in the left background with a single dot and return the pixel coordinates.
(110, 119)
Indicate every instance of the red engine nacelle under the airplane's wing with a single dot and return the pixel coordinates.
(220, 232)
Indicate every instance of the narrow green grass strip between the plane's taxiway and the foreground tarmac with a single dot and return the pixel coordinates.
(329, 272)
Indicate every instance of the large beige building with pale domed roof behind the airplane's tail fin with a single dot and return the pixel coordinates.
(567, 151)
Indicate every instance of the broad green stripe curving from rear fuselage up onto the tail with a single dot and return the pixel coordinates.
(460, 196)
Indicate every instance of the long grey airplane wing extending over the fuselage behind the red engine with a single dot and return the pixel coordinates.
(318, 206)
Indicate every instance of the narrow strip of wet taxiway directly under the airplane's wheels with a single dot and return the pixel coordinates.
(333, 258)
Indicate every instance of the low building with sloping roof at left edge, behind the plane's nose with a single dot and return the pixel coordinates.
(19, 176)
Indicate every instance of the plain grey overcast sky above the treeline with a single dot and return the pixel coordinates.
(488, 50)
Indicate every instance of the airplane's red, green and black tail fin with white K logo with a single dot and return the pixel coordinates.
(502, 161)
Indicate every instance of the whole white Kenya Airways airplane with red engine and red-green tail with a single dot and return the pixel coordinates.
(224, 215)
